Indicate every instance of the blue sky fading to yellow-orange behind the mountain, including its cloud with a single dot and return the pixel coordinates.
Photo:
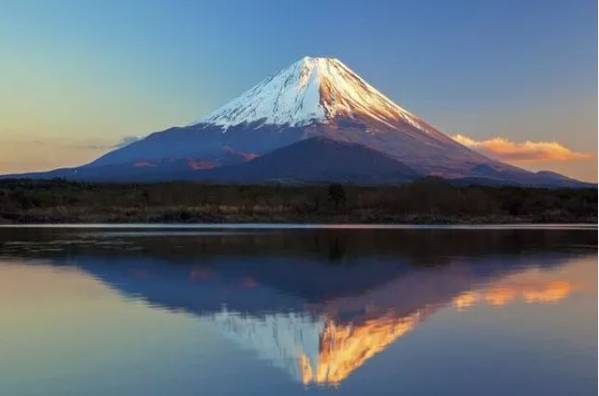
(514, 79)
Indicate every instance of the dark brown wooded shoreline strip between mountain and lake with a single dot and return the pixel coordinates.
(423, 202)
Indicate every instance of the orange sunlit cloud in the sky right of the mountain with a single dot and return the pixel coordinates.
(505, 149)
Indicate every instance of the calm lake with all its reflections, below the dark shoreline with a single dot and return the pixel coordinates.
(299, 310)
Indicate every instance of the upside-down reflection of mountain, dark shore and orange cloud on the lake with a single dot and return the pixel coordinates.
(317, 303)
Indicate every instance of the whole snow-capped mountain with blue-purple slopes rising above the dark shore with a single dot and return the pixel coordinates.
(314, 97)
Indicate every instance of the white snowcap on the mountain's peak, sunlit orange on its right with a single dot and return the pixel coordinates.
(311, 90)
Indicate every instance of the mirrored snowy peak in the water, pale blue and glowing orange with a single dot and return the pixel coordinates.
(313, 349)
